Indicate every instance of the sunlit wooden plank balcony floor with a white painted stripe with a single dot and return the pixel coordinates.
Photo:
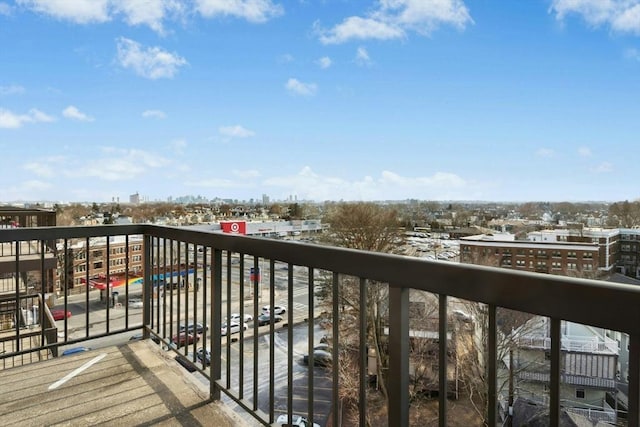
(131, 384)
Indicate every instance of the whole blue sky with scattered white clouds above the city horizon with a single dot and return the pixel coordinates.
(320, 99)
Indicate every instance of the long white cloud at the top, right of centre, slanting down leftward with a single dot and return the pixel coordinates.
(392, 19)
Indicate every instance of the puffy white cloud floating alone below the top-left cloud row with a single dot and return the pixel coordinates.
(151, 63)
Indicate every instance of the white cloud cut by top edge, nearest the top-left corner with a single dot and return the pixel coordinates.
(78, 11)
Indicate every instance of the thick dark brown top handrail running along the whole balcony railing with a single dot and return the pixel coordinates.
(534, 293)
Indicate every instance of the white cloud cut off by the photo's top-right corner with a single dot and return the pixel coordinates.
(620, 15)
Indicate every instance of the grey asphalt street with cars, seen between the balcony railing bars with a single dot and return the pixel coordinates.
(99, 319)
